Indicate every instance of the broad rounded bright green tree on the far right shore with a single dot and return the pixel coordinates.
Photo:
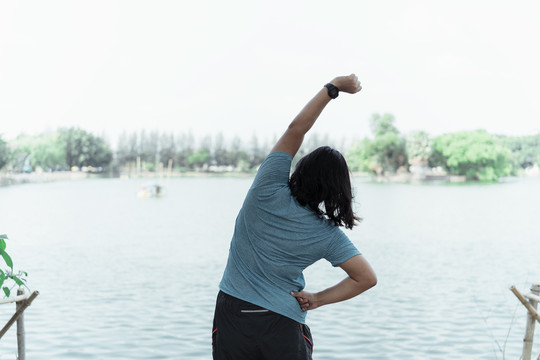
(474, 154)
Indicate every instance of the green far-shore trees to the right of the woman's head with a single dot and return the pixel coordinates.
(477, 155)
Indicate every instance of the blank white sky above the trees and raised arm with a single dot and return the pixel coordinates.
(248, 67)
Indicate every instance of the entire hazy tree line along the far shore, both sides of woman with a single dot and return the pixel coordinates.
(477, 155)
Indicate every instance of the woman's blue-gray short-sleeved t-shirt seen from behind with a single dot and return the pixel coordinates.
(275, 239)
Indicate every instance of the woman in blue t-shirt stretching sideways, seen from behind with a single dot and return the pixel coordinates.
(284, 226)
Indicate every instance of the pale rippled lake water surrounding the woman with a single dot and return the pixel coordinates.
(127, 278)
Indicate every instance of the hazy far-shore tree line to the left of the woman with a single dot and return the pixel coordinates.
(71, 148)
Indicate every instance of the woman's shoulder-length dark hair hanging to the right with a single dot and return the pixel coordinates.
(321, 178)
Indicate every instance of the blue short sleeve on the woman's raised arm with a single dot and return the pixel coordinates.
(274, 170)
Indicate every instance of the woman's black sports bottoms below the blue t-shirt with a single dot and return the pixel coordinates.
(243, 331)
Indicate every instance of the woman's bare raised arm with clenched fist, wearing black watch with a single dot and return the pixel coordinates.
(291, 140)
